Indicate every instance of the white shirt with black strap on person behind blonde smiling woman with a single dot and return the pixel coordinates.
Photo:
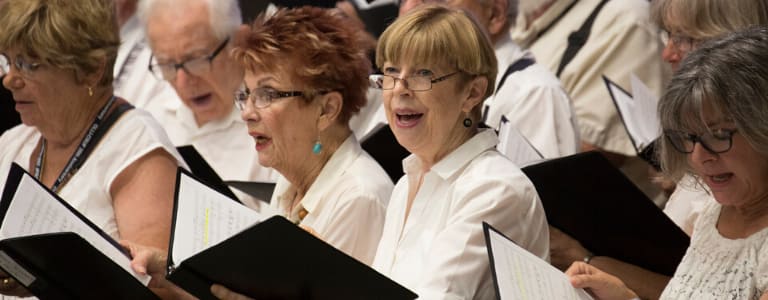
(534, 101)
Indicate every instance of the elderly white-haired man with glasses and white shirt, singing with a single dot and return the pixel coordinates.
(191, 42)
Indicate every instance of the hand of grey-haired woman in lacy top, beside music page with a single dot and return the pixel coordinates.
(599, 284)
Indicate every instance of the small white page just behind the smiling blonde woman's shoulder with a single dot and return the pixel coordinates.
(515, 146)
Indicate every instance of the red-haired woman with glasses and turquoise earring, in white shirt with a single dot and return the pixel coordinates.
(305, 76)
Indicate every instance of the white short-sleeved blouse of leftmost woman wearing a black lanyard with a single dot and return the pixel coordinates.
(134, 135)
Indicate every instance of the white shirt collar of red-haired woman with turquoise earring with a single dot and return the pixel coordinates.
(345, 155)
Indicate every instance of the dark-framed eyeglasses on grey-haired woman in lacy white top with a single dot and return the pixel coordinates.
(716, 141)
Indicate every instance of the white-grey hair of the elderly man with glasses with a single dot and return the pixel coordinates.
(225, 16)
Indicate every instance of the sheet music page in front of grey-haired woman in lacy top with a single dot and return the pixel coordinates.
(522, 275)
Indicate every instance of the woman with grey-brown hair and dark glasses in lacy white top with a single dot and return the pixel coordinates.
(713, 116)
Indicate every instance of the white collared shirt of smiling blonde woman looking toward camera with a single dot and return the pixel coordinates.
(439, 252)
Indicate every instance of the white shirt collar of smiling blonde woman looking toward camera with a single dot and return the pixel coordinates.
(458, 159)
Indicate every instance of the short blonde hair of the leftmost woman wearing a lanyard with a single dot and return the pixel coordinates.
(78, 35)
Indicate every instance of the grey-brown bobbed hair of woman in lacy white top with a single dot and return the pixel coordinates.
(729, 75)
